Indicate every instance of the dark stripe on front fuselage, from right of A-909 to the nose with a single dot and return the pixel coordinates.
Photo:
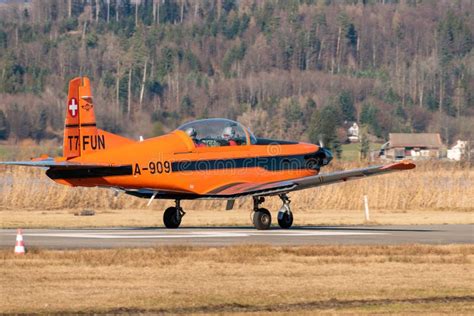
(271, 163)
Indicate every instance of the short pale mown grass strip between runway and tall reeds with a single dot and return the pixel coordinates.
(153, 218)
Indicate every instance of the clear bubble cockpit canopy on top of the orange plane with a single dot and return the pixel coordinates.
(218, 132)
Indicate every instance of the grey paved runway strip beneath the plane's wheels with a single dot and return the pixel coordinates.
(220, 236)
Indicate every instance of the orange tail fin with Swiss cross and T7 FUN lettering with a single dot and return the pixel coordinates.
(81, 135)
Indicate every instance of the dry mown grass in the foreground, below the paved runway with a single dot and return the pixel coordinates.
(259, 279)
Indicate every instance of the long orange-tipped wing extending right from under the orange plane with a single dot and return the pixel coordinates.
(254, 189)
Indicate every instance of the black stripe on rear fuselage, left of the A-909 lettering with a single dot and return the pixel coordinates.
(82, 173)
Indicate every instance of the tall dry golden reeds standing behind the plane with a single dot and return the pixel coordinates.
(432, 186)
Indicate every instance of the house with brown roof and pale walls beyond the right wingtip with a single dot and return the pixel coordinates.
(412, 146)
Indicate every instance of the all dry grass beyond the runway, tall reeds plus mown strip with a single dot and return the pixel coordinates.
(433, 193)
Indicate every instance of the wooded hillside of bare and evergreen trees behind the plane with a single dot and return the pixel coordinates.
(294, 69)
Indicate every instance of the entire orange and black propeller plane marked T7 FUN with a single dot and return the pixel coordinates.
(203, 159)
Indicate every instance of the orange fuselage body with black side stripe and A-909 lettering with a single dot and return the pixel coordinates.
(173, 162)
